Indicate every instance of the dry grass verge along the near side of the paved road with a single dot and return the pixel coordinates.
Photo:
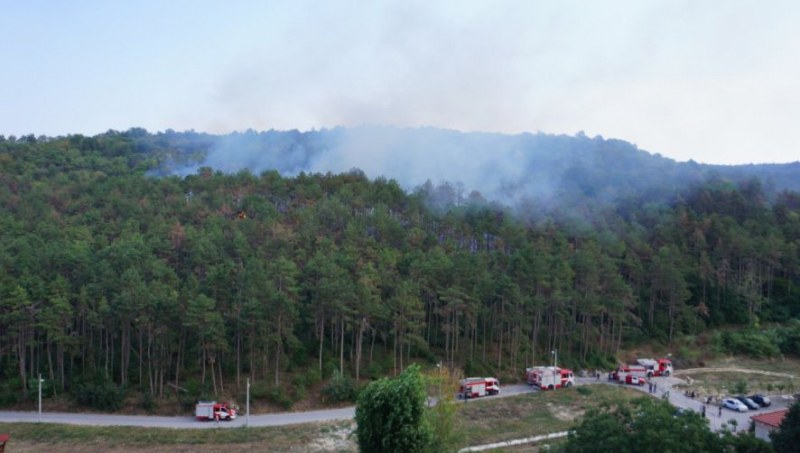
(483, 421)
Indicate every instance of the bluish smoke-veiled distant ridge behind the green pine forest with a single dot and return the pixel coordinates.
(551, 170)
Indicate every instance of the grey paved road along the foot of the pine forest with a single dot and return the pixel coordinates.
(347, 413)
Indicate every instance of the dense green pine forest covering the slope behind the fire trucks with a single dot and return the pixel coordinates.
(113, 269)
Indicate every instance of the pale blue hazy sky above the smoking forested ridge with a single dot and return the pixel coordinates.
(716, 82)
